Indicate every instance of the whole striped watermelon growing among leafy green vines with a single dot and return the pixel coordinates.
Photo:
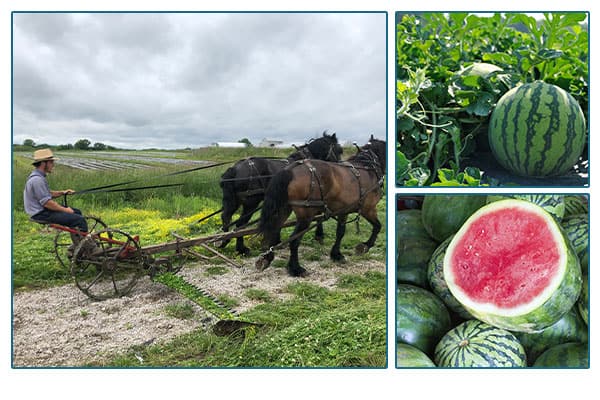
(537, 130)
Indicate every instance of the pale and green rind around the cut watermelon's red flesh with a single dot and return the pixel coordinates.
(547, 308)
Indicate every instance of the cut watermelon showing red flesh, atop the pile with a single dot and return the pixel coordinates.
(511, 265)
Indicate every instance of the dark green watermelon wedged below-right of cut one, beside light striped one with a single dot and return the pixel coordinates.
(570, 328)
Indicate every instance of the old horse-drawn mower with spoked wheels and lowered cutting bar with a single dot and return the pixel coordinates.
(107, 263)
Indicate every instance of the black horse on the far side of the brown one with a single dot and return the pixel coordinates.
(244, 184)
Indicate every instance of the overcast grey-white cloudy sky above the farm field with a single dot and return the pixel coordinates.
(176, 80)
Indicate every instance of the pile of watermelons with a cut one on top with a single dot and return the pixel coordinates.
(493, 281)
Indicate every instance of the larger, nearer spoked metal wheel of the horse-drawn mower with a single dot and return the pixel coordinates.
(107, 264)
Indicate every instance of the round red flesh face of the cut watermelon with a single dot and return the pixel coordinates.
(507, 258)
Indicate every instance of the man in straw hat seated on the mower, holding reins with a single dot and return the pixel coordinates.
(38, 198)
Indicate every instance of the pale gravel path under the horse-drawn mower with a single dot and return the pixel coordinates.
(60, 326)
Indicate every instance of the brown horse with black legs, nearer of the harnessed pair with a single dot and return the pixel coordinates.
(313, 187)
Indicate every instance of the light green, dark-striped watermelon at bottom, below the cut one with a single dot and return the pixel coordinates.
(477, 344)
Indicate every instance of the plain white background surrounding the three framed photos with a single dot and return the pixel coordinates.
(88, 384)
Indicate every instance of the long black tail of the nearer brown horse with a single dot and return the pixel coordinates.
(275, 209)
